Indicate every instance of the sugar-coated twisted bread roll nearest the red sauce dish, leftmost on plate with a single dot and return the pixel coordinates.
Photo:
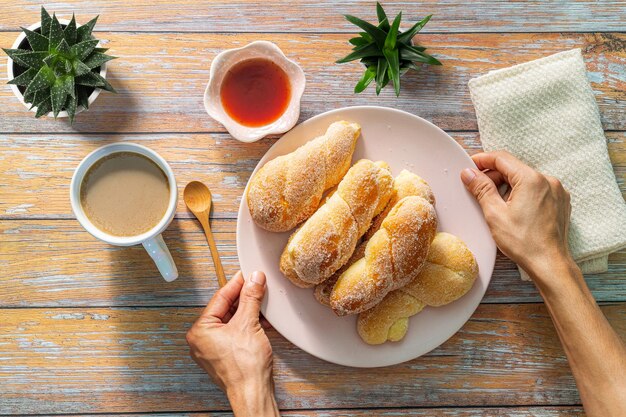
(288, 189)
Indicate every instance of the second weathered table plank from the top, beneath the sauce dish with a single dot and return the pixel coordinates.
(161, 78)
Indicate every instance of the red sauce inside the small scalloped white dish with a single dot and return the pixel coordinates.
(255, 92)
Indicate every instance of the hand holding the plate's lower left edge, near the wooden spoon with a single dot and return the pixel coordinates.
(229, 343)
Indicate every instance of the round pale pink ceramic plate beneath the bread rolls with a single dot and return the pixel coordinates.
(404, 141)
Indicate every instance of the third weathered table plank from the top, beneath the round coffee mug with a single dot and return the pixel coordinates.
(37, 169)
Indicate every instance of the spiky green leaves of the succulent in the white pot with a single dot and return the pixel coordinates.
(59, 67)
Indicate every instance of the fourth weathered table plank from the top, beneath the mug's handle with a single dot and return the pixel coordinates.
(43, 268)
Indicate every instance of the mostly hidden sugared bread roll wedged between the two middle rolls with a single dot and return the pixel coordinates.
(404, 185)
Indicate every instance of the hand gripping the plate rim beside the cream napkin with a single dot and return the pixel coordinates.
(530, 223)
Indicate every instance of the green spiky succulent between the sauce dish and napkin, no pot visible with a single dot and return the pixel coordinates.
(386, 53)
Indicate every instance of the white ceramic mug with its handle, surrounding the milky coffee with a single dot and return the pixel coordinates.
(151, 240)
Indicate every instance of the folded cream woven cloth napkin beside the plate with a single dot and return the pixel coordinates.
(544, 112)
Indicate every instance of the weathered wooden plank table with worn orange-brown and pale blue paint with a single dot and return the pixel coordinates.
(86, 328)
